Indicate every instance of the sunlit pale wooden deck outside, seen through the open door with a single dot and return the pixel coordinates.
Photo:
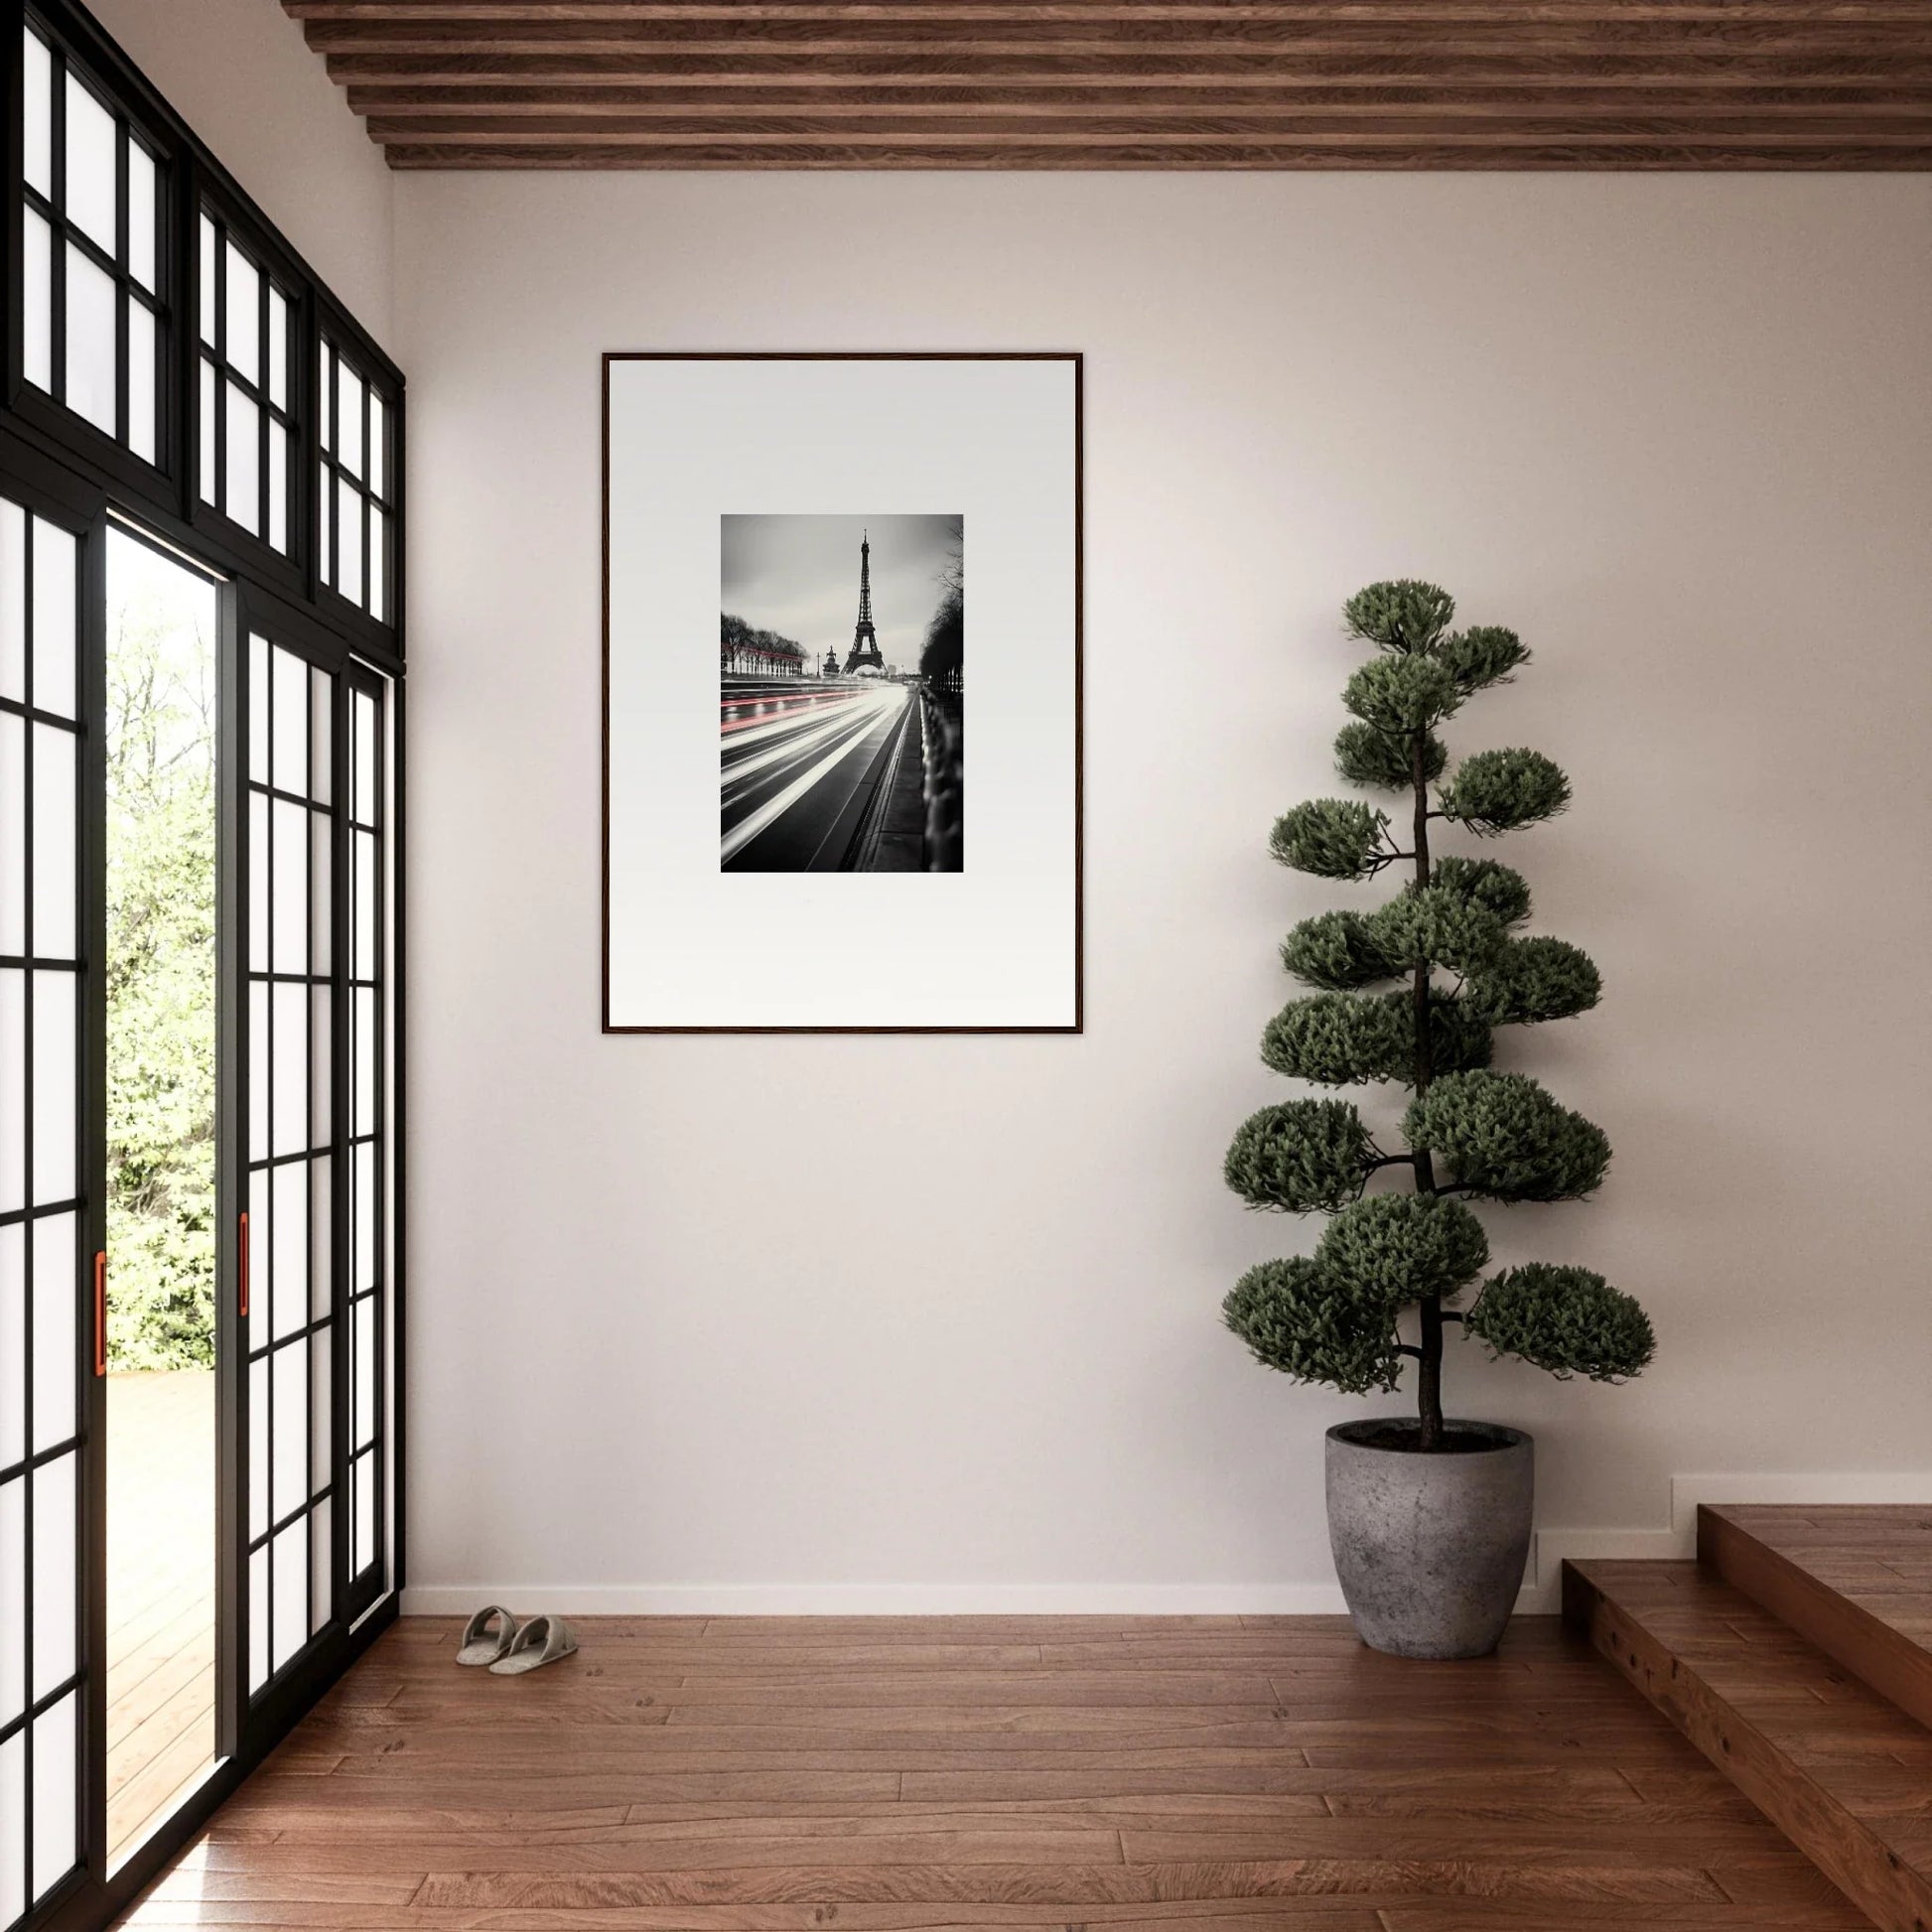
(161, 1597)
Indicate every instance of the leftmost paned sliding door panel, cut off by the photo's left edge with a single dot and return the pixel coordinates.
(49, 1212)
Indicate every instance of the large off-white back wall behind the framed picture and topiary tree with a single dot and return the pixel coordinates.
(749, 1321)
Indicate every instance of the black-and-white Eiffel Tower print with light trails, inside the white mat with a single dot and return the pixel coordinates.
(841, 695)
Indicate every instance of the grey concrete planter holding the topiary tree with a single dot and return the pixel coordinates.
(1431, 1548)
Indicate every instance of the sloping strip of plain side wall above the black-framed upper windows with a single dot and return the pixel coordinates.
(242, 76)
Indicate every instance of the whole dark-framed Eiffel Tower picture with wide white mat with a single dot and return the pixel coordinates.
(795, 834)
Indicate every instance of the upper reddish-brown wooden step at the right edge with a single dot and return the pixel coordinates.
(1856, 1579)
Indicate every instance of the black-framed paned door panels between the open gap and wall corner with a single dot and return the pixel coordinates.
(310, 1548)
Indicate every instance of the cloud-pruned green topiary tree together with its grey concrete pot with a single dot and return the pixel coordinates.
(1429, 1518)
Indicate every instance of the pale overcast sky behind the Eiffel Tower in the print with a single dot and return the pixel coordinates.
(799, 577)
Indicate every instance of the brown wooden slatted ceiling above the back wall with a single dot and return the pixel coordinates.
(1137, 84)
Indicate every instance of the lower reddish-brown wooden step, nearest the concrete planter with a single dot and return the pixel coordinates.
(1838, 1769)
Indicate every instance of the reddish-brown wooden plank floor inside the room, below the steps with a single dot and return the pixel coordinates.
(876, 1775)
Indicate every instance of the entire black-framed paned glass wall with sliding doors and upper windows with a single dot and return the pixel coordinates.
(171, 366)
